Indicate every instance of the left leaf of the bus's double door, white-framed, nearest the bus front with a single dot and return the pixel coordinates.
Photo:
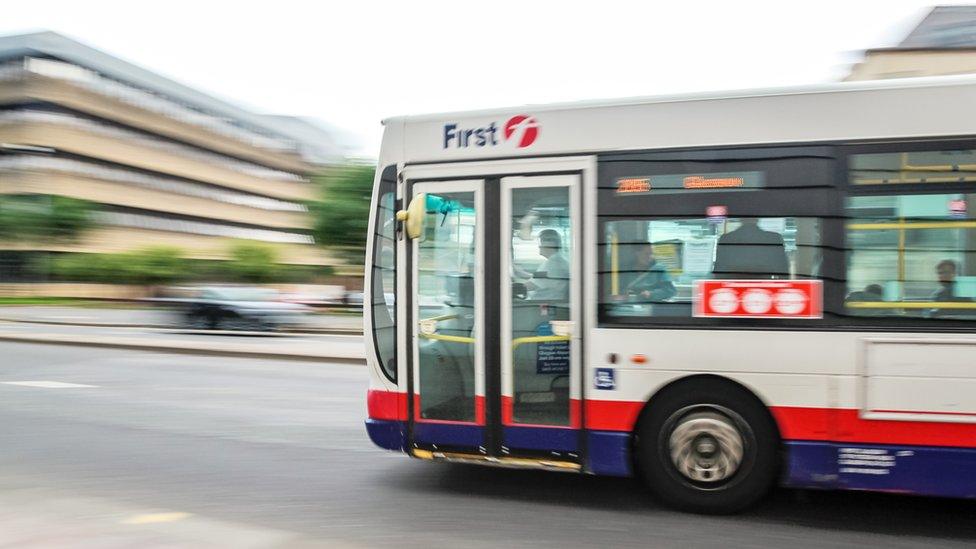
(447, 335)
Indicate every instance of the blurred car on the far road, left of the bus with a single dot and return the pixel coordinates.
(241, 308)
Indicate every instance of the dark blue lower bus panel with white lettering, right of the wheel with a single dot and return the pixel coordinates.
(921, 470)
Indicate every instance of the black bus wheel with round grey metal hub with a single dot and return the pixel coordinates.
(707, 447)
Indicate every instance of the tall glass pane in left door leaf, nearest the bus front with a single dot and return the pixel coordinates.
(447, 258)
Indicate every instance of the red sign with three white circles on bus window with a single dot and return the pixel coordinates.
(758, 299)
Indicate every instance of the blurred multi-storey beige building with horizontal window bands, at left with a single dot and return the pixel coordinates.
(167, 164)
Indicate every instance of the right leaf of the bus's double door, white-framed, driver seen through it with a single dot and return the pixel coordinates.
(540, 315)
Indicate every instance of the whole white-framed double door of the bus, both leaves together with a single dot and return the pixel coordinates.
(495, 355)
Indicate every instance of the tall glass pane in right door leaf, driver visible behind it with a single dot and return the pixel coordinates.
(541, 259)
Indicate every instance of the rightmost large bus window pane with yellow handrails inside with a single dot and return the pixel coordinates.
(912, 255)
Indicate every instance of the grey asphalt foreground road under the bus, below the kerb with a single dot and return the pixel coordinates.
(159, 450)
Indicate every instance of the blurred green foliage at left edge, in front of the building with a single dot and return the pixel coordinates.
(44, 217)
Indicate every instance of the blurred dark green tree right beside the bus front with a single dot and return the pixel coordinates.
(341, 214)
